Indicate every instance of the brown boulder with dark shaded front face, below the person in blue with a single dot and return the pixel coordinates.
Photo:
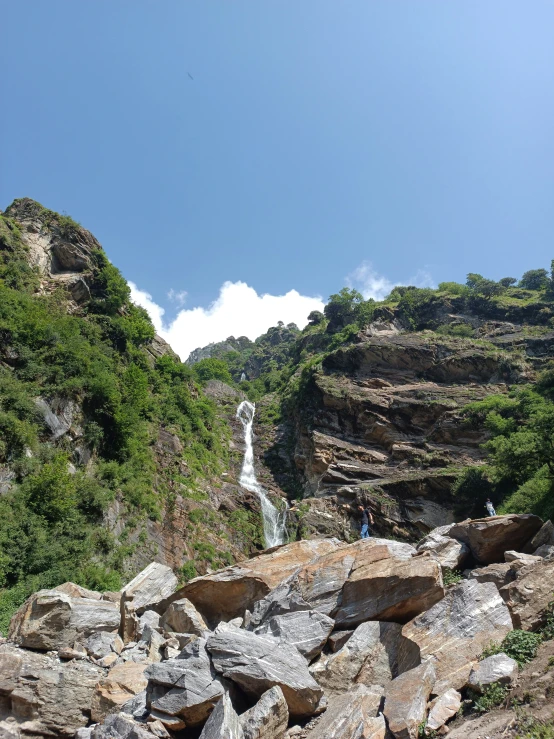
(389, 590)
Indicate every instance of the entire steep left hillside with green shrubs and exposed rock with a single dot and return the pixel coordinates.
(111, 453)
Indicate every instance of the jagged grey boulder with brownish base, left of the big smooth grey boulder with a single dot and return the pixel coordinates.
(183, 691)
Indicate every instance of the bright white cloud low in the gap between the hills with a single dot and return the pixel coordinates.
(238, 311)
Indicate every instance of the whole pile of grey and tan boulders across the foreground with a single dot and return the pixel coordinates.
(312, 639)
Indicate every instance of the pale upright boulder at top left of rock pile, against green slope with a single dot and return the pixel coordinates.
(146, 591)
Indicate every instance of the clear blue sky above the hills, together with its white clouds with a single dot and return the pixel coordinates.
(385, 140)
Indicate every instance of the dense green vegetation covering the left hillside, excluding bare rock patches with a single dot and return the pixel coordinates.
(51, 518)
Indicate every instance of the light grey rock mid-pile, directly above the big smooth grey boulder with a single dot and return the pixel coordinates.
(308, 631)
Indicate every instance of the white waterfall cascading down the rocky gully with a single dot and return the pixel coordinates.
(274, 520)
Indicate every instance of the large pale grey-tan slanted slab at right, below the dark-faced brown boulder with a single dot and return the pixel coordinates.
(454, 632)
